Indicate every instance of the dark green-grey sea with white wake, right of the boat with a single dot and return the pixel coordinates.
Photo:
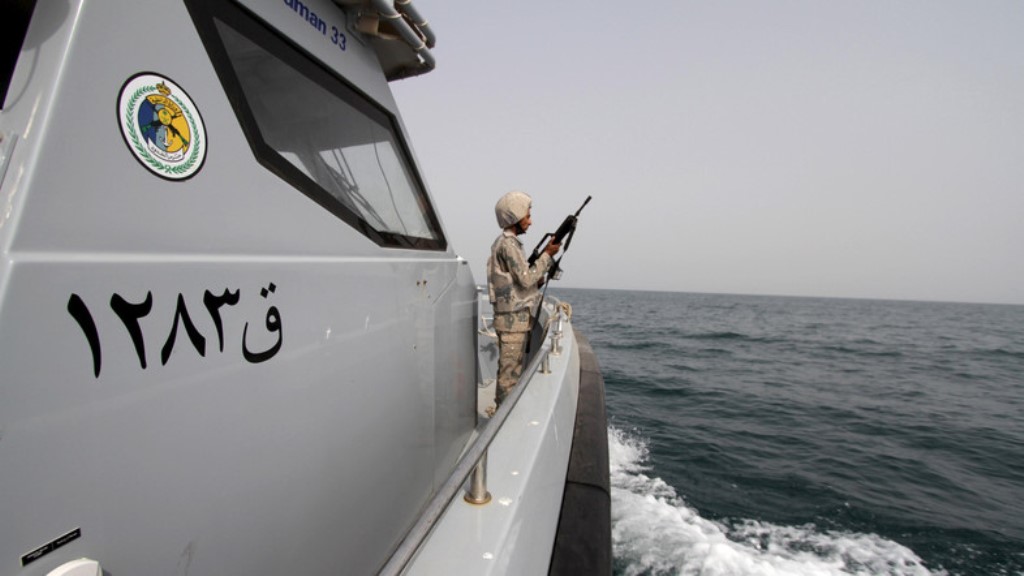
(769, 436)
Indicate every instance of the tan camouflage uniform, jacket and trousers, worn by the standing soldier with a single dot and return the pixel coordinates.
(513, 286)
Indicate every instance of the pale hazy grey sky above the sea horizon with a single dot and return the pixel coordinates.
(807, 148)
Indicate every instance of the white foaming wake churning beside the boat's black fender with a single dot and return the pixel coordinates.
(656, 533)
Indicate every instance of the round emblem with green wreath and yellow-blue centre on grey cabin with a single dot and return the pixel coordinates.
(162, 127)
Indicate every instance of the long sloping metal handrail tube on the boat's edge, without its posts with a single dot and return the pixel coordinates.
(419, 532)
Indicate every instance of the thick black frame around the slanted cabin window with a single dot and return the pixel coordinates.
(205, 14)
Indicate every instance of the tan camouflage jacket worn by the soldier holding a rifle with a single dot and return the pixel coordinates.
(511, 282)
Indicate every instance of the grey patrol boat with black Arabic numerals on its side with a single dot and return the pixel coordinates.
(234, 336)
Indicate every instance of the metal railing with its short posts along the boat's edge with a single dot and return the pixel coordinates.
(475, 462)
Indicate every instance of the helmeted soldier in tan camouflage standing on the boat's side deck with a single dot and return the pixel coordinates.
(514, 287)
